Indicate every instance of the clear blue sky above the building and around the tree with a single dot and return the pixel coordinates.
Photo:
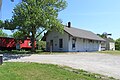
(97, 16)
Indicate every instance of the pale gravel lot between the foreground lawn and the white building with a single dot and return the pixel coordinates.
(93, 62)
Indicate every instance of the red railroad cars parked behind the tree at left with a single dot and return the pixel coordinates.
(12, 44)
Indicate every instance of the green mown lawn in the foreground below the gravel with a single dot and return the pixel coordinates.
(35, 71)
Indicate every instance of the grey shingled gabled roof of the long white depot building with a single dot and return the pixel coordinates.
(80, 33)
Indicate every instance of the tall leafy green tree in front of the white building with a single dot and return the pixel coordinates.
(33, 15)
